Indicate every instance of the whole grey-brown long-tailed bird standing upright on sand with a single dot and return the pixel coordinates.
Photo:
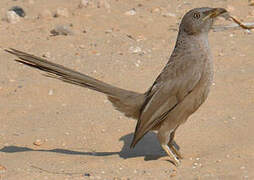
(179, 90)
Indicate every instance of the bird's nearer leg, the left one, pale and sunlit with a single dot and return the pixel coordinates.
(164, 139)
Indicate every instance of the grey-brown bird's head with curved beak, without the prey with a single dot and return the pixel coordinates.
(200, 20)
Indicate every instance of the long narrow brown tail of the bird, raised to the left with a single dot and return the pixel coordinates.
(127, 102)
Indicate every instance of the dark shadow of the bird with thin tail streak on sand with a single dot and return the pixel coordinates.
(148, 147)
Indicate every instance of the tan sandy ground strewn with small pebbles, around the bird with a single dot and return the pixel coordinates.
(79, 134)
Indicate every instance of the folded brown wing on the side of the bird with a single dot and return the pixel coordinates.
(174, 83)
